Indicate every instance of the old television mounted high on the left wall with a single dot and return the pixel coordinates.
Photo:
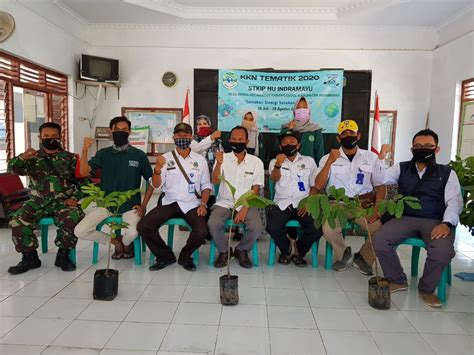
(99, 69)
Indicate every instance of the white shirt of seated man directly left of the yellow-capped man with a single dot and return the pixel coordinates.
(297, 177)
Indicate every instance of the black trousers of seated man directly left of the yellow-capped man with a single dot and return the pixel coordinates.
(276, 221)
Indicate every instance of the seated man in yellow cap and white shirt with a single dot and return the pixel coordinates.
(358, 171)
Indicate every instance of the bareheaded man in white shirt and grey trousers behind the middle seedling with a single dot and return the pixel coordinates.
(245, 172)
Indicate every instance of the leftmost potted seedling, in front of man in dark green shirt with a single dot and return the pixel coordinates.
(106, 280)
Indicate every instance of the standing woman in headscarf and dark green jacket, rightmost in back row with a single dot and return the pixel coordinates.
(311, 134)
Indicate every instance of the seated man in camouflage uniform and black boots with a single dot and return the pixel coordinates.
(55, 193)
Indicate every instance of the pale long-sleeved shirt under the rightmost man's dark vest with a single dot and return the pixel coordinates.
(452, 192)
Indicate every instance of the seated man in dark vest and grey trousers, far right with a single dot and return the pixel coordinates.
(437, 187)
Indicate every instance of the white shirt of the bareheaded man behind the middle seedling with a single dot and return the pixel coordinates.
(242, 176)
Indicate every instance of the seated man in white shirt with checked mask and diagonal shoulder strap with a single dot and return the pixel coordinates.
(185, 195)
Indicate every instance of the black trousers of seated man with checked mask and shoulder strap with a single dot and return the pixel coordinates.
(149, 225)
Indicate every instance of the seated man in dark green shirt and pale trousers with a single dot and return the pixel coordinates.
(122, 168)
